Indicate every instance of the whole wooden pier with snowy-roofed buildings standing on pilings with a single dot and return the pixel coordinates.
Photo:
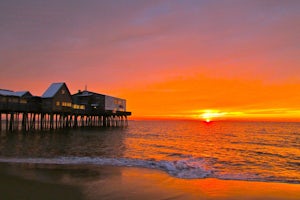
(58, 109)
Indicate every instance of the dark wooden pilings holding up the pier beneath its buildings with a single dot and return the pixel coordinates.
(29, 121)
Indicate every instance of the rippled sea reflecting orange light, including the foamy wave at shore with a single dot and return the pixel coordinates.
(255, 151)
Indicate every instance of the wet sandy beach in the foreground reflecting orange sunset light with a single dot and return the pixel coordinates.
(30, 181)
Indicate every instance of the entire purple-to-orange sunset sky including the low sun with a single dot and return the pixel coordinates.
(191, 59)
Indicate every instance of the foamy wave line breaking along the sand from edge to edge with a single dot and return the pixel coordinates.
(192, 168)
